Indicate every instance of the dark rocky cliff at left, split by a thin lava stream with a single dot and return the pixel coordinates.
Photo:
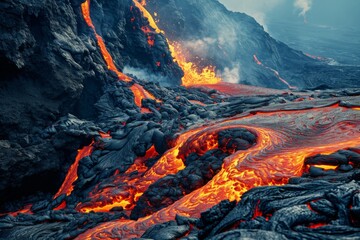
(51, 65)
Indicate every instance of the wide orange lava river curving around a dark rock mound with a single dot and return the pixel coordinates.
(284, 139)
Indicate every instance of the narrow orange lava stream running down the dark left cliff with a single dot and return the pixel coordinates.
(138, 91)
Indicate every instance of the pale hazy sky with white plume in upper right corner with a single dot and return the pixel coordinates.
(336, 13)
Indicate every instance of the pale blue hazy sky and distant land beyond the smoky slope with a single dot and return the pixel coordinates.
(331, 30)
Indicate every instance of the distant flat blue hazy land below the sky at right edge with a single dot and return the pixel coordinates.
(339, 45)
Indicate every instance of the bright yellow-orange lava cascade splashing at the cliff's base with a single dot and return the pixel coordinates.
(192, 74)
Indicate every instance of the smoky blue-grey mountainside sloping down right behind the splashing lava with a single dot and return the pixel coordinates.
(229, 41)
